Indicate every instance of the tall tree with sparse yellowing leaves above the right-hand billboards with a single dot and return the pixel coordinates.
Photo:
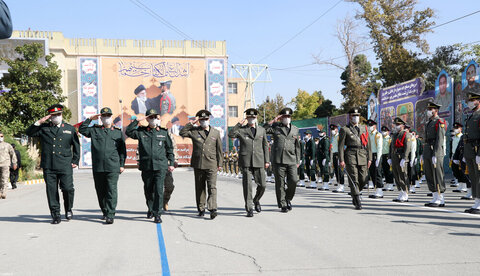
(393, 24)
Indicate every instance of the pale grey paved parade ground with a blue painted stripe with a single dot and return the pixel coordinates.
(322, 235)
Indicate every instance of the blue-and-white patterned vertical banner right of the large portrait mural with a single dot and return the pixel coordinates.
(216, 96)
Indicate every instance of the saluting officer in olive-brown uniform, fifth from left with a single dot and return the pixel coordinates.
(254, 157)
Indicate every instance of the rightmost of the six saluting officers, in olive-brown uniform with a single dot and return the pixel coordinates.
(286, 157)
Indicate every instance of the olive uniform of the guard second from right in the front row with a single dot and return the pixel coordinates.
(434, 146)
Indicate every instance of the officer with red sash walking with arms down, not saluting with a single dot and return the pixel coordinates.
(355, 154)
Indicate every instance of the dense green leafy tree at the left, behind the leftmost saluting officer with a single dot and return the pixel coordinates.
(32, 89)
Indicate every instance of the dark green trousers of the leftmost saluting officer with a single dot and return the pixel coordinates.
(52, 180)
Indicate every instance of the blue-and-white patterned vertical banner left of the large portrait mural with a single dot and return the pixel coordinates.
(89, 101)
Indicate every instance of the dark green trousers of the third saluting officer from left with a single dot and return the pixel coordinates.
(153, 188)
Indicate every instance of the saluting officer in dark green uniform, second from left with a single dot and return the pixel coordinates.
(108, 159)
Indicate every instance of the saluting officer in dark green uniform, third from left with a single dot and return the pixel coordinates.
(156, 157)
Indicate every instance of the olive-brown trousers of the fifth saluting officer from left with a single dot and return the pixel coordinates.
(259, 177)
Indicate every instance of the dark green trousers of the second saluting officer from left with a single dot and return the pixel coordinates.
(106, 188)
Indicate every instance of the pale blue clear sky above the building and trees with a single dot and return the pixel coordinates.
(252, 30)
